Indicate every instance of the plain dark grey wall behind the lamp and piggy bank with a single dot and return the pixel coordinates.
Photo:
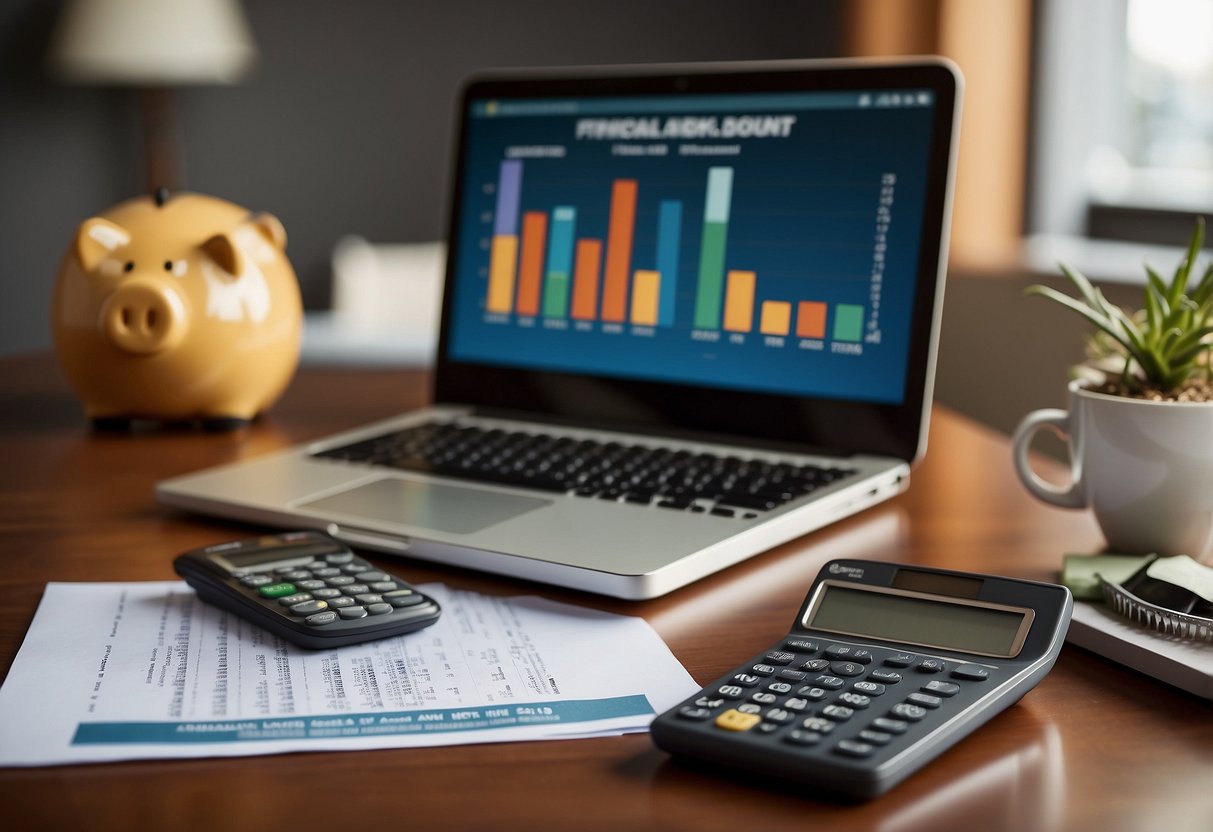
(341, 129)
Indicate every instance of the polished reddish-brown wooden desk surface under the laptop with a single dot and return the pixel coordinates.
(1095, 746)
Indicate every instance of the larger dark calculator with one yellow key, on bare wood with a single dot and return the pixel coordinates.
(886, 668)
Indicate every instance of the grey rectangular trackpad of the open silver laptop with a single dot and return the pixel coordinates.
(426, 505)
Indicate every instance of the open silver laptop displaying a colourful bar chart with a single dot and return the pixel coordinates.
(690, 314)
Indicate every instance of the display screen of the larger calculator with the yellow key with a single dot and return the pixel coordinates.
(920, 619)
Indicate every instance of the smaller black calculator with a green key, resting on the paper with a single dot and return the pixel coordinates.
(306, 588)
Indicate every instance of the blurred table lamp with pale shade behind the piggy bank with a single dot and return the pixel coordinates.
(155, 47)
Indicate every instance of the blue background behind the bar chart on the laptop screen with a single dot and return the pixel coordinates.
(805, 216)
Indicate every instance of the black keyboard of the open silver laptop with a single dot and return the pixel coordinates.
(669, 478)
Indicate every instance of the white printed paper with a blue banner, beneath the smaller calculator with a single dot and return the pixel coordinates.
(124, 671)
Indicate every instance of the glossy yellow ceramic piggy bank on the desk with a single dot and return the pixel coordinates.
(178, 309)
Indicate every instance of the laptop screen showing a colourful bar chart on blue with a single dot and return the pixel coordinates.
(761, 235)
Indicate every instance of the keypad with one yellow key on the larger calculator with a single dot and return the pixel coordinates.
(841, 698)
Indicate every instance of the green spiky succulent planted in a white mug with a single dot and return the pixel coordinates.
(1141, 417)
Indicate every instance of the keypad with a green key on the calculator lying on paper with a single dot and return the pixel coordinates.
(338, 588)
